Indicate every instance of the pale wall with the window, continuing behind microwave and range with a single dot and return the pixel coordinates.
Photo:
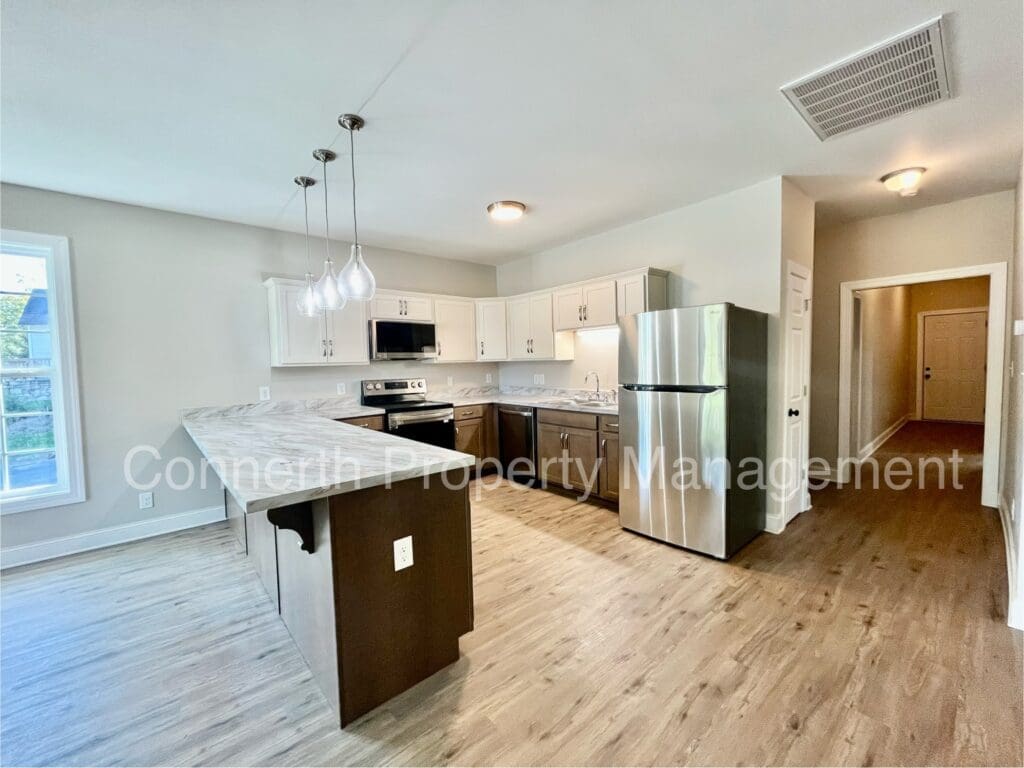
(172, 313)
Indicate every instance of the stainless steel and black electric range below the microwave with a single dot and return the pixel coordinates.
(409, 413)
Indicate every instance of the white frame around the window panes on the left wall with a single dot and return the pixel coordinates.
(66, 406)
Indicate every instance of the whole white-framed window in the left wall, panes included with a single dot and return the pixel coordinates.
(40, 435)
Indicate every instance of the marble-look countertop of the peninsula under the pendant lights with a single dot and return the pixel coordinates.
(273, 460)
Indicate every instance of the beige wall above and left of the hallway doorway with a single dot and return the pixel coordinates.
(976, 231)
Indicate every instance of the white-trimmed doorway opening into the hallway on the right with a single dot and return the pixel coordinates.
(924, 348)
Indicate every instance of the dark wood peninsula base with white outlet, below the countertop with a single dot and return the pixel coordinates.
(367, 631)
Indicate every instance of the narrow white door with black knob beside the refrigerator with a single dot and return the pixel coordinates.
(797, 329)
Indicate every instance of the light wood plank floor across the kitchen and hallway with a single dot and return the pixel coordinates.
(873, 631)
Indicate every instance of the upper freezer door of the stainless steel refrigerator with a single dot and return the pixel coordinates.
(675, 348)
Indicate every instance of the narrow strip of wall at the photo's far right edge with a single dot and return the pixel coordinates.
(1013, 399)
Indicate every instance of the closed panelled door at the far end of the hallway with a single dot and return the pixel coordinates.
(955, 367)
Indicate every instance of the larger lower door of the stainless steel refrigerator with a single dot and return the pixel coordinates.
(673, 470)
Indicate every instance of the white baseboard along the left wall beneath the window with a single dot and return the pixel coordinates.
(29, 553)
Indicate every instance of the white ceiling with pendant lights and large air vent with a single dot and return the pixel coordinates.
(594, 114)
